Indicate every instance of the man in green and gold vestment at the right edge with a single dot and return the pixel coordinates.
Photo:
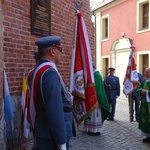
(144, 117)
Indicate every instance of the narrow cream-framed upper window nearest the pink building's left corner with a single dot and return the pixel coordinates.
(105, 27)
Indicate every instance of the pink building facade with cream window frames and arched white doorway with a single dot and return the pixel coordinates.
(118, 24)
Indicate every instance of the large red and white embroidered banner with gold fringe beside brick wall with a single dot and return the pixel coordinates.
(82, 79)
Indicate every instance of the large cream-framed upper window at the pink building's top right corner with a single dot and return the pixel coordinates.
(143, 15)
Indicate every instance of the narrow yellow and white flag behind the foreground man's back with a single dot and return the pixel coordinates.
(26, 128)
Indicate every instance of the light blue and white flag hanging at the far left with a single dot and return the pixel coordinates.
(8, 109)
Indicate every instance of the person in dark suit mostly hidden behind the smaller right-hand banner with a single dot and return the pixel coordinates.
(133, 99)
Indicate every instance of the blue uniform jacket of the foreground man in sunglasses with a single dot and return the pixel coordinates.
(51, 121)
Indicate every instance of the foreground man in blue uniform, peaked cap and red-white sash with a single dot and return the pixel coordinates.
(51, 103)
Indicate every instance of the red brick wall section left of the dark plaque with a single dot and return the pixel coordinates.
(18, 42)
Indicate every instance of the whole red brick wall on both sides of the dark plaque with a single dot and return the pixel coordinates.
(19, 42)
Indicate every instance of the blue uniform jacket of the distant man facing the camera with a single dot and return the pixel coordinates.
(112, 86)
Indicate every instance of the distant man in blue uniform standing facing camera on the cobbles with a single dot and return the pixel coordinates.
(112, 87)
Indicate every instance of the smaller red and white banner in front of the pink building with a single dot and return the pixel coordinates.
(131, 77)
